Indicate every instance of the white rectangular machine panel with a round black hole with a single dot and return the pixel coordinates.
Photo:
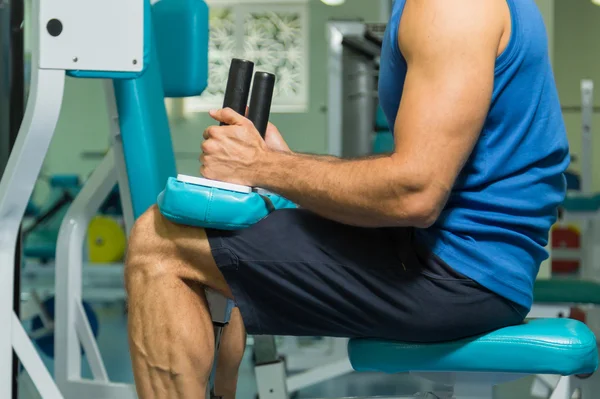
(92, 35)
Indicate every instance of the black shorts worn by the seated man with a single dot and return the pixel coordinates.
(296, 273)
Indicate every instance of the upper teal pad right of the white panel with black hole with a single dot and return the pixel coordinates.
(181, 33)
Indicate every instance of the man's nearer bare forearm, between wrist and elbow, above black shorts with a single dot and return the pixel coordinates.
(361, 192)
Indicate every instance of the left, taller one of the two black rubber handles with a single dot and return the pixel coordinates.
(238, 85)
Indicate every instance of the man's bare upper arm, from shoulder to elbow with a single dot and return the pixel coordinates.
(447, 90)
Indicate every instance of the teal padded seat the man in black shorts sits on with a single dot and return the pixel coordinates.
(544, 346)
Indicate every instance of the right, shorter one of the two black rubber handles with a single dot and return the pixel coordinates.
(260, 101)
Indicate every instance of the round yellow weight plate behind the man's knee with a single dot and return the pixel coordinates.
(106, 240)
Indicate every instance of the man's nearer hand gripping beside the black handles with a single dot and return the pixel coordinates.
(232, 153)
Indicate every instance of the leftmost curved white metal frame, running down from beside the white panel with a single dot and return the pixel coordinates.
(16, 187)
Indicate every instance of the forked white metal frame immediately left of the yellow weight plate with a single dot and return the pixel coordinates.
(72, 326)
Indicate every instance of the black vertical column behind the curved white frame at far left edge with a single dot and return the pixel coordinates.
(12, 108)
